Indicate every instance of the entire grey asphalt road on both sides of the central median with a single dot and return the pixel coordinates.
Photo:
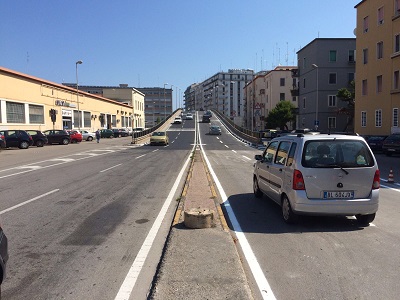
(77, 216)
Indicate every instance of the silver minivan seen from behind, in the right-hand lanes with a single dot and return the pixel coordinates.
(323, 174)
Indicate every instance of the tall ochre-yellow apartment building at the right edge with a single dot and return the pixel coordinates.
(377, 83)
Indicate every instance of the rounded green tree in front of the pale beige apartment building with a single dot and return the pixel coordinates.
(281, 115)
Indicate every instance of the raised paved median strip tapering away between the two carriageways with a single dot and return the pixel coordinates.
(200, 263)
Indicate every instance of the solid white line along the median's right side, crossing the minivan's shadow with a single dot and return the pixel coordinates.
(262, 283)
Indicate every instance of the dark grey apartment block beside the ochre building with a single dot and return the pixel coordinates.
(325, 65)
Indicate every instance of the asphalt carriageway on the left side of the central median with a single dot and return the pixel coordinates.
(77, 216)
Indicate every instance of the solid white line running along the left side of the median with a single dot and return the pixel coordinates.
(127, 286)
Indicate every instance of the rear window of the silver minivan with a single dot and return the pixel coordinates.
(336, 153)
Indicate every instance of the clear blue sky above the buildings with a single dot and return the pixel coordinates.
(151, 42)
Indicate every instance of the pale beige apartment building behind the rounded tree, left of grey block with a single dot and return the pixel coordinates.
(265, 91)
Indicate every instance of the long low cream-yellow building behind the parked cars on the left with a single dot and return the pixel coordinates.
(26, 102)
